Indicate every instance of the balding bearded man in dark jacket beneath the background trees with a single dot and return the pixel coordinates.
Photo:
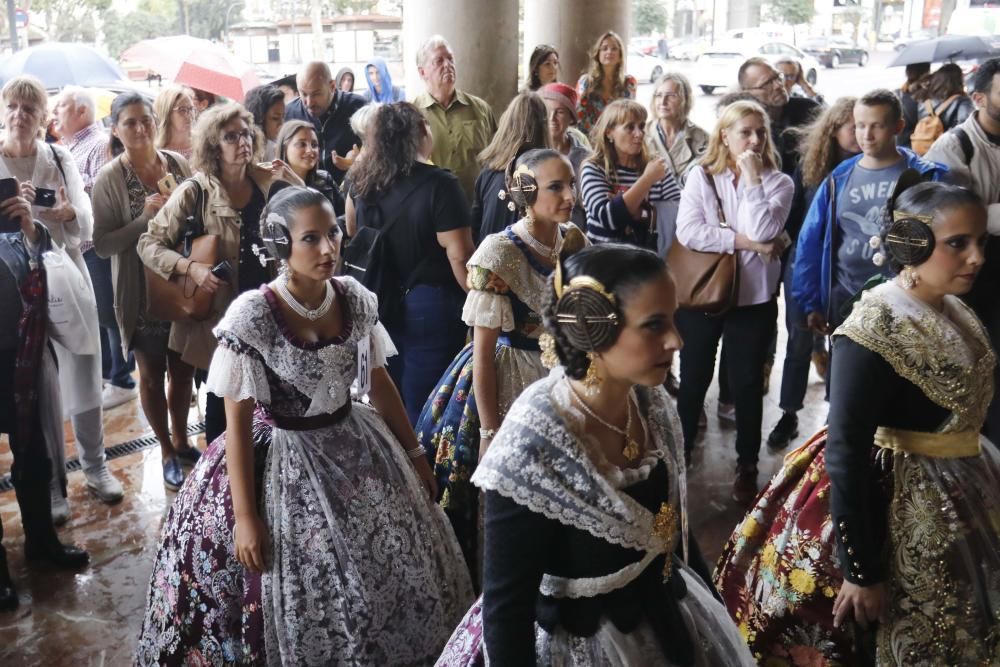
(330, 110)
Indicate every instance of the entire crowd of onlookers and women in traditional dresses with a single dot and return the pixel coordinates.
(437, 355)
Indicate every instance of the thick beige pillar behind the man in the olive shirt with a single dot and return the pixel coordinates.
(483, 35)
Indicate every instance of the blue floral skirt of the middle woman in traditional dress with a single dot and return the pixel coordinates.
(448, 428)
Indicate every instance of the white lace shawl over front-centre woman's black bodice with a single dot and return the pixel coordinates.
(543, 459)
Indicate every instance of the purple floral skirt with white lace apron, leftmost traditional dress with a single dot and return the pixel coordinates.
(361, 566)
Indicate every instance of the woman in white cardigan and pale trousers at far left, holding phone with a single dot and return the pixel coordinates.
(47, 177)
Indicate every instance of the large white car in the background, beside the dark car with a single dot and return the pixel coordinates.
(718, 66)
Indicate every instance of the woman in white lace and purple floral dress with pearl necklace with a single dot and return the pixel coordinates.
(331, 552)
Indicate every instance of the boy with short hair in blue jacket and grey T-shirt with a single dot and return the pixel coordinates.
(833, 258)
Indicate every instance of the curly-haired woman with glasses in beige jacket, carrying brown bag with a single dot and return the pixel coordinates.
(232, 190)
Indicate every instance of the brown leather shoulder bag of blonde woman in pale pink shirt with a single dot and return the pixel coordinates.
(707, 282)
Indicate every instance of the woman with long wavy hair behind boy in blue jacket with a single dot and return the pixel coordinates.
(823, 144)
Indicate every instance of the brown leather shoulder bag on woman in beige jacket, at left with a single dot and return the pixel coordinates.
(179, 299)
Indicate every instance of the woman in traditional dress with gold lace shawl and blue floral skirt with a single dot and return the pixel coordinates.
(508, 278)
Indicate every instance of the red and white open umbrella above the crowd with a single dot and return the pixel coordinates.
(195, 62)
